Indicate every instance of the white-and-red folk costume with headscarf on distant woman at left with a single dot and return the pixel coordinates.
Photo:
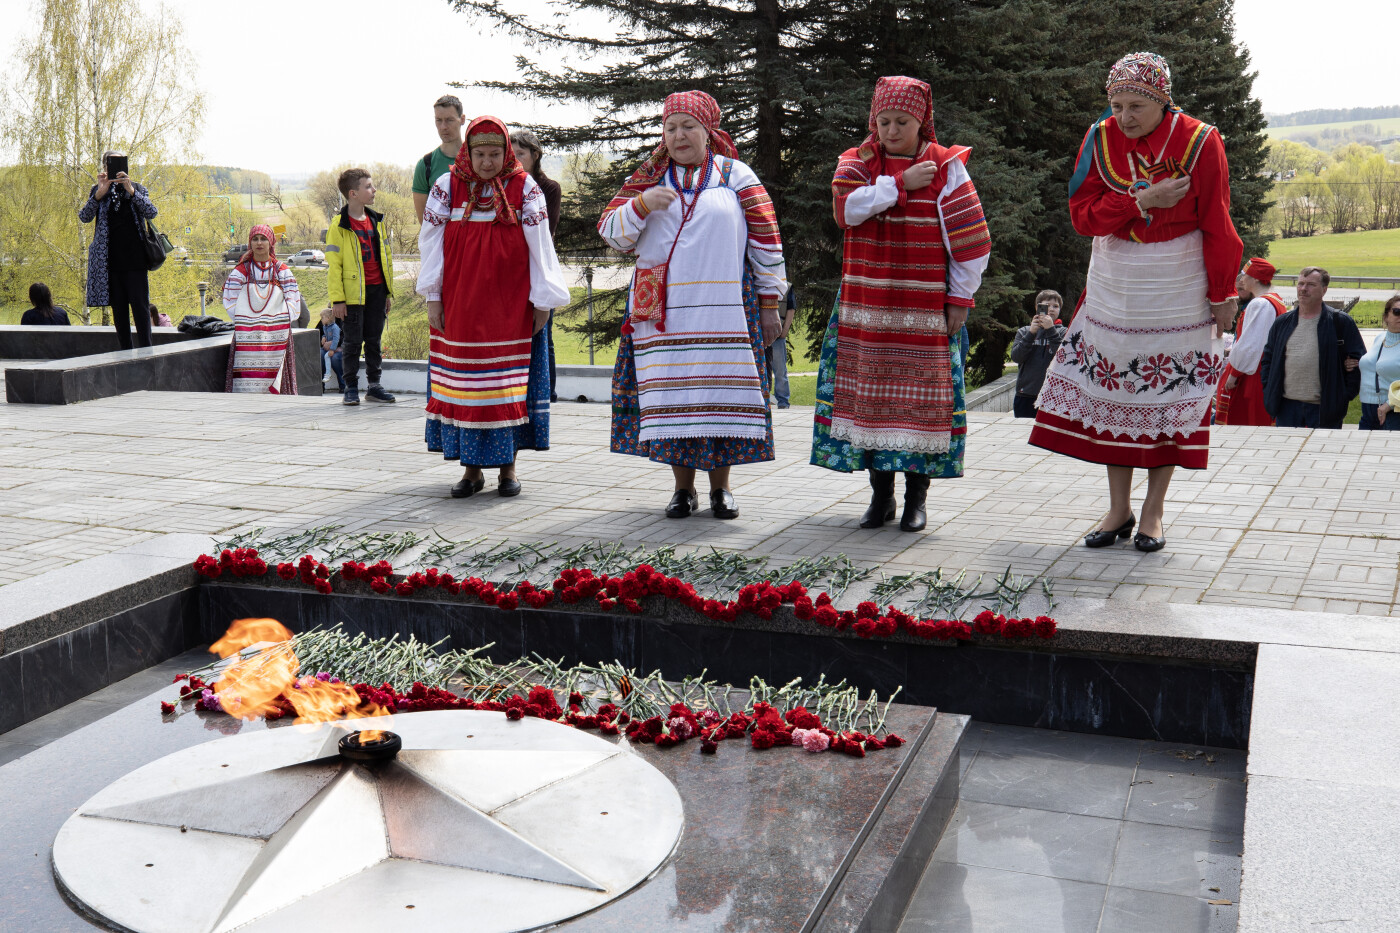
(264, 303)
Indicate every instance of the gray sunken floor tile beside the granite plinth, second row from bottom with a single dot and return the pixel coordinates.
(1058, 845)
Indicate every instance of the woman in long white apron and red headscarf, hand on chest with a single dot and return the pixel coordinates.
(691, 383)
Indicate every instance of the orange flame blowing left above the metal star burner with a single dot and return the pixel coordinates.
(267, 683)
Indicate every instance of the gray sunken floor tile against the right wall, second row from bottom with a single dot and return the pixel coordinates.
(1175, 861)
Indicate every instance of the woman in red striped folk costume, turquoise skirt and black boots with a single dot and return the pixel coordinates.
(890, 389)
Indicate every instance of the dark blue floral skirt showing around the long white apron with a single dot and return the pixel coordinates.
(696, 453)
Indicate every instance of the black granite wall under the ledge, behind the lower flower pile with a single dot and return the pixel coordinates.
(1098, 694)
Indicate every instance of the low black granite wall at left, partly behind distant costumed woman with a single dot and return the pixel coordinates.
(185, 366)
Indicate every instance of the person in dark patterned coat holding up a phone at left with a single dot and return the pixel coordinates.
(117, 256)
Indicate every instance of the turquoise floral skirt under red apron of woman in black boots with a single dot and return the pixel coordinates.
(843, 457)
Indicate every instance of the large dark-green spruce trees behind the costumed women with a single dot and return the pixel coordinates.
(1017, 82)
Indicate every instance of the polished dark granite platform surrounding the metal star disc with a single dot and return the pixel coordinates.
(775, 841)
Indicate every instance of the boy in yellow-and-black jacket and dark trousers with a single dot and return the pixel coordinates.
(360, 284)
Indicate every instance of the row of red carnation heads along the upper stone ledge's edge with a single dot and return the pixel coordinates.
(573, 586)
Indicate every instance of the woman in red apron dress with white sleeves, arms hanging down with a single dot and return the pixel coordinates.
(491, 278)
